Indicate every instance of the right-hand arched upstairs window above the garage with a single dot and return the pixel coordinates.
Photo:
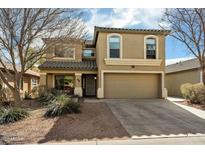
(151, 47)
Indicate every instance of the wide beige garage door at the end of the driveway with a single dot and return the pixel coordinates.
(132, 85)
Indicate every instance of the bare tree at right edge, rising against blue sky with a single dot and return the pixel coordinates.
(188, 26)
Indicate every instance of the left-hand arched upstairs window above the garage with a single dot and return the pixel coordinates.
(114, 46)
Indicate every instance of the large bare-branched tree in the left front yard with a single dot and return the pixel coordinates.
(23, 29)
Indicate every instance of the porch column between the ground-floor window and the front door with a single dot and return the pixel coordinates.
(78, 85)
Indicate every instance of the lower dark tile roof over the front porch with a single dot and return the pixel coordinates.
(70, 65)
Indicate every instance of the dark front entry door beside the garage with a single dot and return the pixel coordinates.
(90, 85)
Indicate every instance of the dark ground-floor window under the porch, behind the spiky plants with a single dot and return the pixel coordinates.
(65, 83)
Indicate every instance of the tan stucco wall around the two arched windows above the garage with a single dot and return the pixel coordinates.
(132, 48)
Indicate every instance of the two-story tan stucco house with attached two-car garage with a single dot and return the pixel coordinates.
(117, 63)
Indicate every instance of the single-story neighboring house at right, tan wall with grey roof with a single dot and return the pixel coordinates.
(180, 73)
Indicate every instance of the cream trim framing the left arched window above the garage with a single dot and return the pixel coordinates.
(108, 45)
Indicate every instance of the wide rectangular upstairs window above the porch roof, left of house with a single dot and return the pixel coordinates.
(65, 53)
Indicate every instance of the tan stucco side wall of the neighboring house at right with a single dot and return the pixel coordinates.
(175, 80)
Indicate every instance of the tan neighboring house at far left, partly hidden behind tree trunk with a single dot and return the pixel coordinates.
(30, 79)
